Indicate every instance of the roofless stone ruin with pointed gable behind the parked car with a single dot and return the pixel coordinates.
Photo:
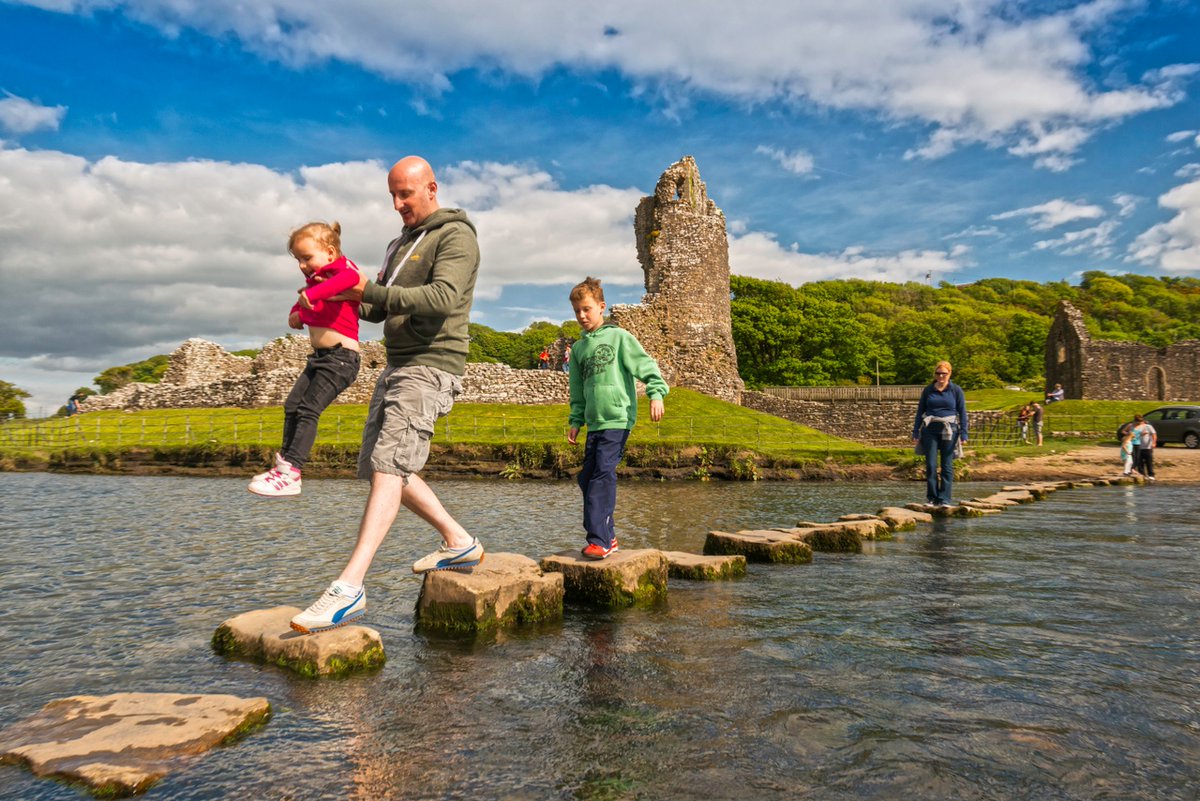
(1099, 370)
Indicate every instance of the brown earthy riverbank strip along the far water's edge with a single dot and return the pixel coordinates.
(659, 462)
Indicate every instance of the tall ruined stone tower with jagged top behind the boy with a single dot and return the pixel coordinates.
(685, 318)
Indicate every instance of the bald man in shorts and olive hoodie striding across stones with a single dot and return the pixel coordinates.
(423, 297)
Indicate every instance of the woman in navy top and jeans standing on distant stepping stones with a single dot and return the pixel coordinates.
(940, 430)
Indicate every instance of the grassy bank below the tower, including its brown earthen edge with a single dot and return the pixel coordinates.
(700, 437)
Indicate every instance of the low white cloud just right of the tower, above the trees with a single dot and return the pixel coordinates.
(760, 256)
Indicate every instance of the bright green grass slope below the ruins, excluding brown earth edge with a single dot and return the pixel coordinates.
(692, 420)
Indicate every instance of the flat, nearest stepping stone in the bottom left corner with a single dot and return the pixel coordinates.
(123, 744)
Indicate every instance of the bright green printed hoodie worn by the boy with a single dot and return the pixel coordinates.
(604, 365)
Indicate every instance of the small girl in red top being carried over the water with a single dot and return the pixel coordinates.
(334, 363)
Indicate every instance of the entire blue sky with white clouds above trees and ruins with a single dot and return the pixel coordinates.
(155, 154)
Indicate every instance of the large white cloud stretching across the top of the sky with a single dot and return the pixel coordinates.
(973, 71)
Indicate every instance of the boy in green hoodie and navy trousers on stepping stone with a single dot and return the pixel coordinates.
(603, 368)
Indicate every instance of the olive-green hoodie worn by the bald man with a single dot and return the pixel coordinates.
(427, 309)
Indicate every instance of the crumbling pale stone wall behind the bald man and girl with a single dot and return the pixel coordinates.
(202, 375)
